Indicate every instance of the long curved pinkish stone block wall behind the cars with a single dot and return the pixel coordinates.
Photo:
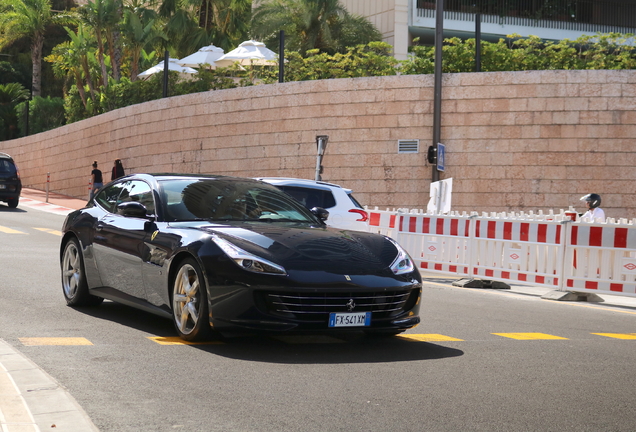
(514, 140)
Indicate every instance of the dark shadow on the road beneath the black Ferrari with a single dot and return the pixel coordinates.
(352, 347)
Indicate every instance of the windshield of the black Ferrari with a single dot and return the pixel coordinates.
(226, 199)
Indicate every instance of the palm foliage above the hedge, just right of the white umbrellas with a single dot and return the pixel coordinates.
(311, 24)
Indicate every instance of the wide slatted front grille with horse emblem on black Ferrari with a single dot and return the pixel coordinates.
(317, 306)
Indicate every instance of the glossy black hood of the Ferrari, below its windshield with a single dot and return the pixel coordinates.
(312, 248)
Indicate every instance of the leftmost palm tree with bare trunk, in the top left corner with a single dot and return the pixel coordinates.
(28, 19)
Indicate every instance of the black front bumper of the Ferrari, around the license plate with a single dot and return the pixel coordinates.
(237, 310)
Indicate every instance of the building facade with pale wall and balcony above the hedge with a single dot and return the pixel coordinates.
(400, 21)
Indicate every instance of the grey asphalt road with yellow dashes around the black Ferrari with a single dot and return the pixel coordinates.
(463, 368)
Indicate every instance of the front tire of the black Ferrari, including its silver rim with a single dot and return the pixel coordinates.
(190, 302)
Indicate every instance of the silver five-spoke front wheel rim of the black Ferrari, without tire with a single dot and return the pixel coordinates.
(186, 299)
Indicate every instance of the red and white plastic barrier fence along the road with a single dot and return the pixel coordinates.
(535, 249)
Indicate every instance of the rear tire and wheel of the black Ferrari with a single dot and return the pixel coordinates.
(74, 285)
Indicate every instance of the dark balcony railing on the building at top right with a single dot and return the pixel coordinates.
(602, 16)
